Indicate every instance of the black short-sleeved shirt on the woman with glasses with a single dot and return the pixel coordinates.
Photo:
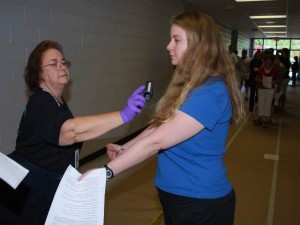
(39, 130)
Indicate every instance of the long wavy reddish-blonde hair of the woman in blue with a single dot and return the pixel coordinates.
(205, 55)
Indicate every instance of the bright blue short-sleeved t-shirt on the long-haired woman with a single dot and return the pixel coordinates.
(195, 167)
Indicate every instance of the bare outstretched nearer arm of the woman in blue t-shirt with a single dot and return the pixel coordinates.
(179, 129)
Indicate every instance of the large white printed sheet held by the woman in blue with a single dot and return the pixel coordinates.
(79, 202)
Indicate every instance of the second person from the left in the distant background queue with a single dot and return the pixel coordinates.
(243, 68)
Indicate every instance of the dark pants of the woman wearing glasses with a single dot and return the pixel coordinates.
(30, 202)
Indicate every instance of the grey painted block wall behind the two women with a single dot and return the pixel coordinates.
(114, 46)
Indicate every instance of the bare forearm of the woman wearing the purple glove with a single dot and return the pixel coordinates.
(85, 128)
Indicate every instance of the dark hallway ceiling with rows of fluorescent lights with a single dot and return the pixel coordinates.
(237, 15)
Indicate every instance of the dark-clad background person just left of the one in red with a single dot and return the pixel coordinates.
(255, 64)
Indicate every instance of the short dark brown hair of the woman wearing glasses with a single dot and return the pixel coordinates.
(33, 67)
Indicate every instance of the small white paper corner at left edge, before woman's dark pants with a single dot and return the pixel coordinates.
(11, 172)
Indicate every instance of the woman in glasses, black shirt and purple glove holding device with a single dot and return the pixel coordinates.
(49, 137)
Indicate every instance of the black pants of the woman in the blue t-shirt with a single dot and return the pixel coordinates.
(180, 210)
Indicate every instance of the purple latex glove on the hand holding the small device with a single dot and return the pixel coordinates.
(134, 105)
